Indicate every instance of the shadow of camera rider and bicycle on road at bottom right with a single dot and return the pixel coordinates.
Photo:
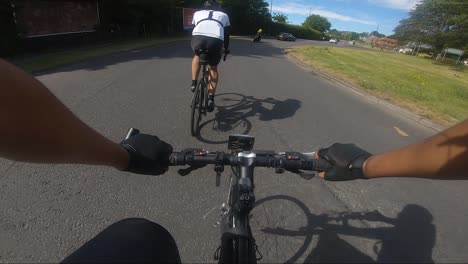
(410, 237)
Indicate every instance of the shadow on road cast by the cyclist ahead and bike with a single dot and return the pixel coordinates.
(234, 112)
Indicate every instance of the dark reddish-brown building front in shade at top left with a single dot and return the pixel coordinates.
(42, 24)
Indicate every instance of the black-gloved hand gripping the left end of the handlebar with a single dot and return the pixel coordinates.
(147, 154)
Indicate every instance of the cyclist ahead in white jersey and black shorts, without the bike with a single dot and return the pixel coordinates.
(210, 33)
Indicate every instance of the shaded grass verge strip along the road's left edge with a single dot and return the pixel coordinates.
(58, 58)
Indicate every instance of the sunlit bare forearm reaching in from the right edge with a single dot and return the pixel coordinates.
(443, 156)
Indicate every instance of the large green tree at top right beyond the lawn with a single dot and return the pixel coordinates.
(439, 23)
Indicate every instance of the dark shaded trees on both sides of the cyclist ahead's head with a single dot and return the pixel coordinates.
(165, 16)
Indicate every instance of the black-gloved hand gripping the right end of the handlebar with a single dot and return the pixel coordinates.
(346, 162)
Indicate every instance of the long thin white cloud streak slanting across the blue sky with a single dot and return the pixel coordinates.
(305, 10)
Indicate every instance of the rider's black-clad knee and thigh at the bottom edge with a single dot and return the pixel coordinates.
(131, 240)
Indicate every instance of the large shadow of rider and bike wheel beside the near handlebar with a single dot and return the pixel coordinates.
(410, 237)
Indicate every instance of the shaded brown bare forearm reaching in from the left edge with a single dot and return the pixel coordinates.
(41, 129)
